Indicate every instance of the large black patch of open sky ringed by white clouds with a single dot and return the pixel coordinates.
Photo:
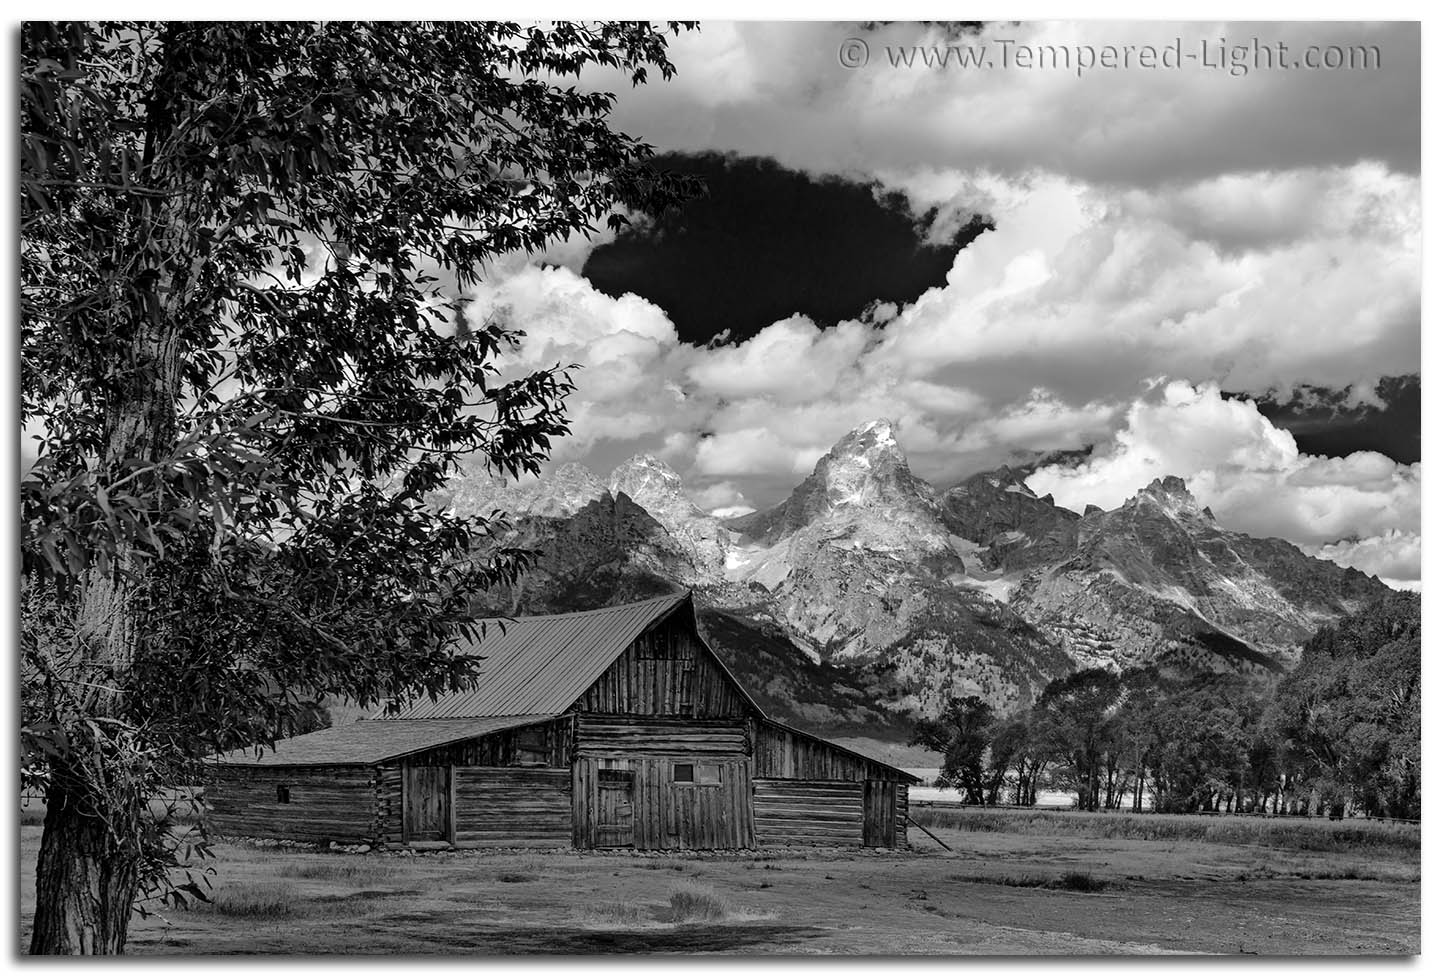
(768, 243)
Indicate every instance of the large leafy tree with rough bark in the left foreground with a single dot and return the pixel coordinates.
(243, 249)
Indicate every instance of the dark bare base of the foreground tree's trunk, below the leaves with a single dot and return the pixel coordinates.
(86, 883)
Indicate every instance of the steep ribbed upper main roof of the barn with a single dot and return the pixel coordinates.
(537, 665)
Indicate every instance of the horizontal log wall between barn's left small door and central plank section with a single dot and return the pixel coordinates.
(513, 808)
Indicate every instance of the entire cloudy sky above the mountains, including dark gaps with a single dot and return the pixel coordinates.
(1211, 270)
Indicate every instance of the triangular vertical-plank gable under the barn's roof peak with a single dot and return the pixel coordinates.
(665, 673)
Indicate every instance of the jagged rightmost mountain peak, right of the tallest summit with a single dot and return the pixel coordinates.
(1160, 582)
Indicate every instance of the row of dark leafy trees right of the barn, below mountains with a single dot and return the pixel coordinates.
(1340, 733)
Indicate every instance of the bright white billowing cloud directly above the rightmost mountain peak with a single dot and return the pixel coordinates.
(1362, 510)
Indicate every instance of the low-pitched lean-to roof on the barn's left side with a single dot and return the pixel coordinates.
(366, 743)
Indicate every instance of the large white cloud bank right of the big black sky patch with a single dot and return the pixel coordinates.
(1085, 290)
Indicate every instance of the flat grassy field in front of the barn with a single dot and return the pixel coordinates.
(1013, 883)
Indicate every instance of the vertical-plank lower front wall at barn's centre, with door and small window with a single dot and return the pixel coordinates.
(668, 815)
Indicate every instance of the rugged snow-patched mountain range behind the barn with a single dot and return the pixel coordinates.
(867, 596)
